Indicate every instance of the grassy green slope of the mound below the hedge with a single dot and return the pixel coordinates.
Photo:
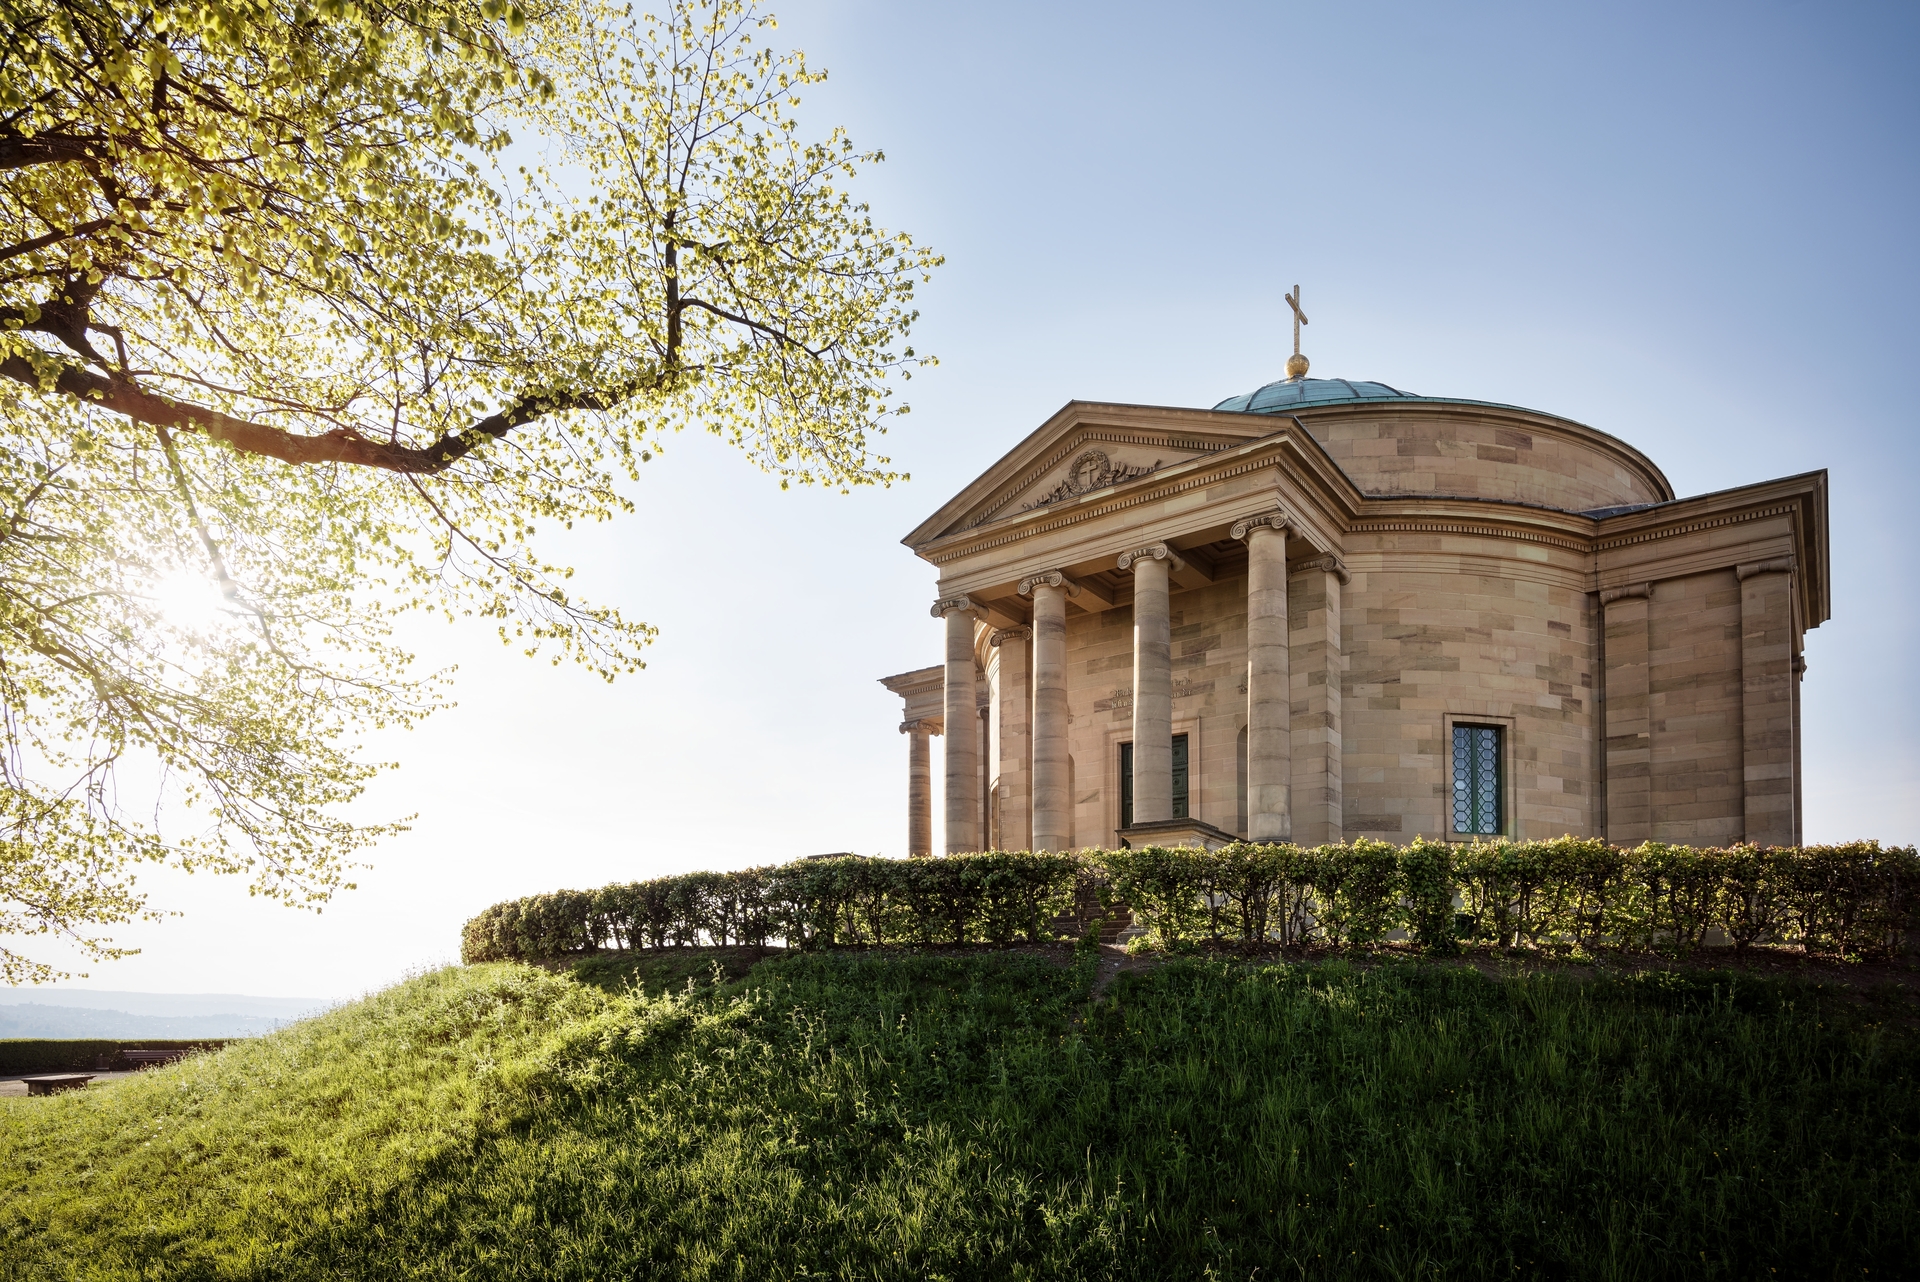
(965, 1118)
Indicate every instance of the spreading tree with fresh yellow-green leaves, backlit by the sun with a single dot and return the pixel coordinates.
(312, 314)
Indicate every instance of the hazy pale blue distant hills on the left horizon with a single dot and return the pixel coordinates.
(85, 1012)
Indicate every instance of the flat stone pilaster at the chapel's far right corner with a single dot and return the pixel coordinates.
(1767, 696)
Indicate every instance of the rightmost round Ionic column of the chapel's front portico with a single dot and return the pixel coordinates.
(1270, 751)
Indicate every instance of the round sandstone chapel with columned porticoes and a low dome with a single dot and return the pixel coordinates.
(1333, 609)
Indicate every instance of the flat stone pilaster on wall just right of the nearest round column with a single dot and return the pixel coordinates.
(1316, 671)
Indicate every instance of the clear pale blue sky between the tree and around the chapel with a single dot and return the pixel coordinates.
(1687, 226)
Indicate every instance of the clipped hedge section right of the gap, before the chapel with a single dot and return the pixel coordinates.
(1848, 901)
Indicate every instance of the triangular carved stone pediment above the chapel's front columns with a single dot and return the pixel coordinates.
(1088, 450)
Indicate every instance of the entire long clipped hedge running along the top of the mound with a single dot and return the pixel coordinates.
(1848, 901)
